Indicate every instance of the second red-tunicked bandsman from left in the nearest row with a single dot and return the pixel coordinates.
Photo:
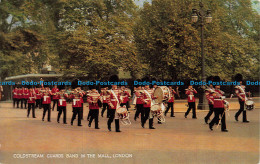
(46, 103)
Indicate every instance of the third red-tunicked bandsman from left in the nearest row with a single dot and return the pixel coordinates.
(62, 106)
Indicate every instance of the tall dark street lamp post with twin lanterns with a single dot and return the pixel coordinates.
(203, 17)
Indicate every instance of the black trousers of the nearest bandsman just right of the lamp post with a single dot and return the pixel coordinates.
(219, 112)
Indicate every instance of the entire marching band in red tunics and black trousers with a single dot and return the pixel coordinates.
(148, 103)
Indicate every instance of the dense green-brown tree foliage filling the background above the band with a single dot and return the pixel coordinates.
(94, 39)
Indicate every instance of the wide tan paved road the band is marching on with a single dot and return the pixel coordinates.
(179, 140)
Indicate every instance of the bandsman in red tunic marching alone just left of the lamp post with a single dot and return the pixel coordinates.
(190, 92)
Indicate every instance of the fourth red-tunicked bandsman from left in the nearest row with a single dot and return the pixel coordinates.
(77, 106)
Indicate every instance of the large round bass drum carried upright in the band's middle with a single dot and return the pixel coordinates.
(162, 94)
